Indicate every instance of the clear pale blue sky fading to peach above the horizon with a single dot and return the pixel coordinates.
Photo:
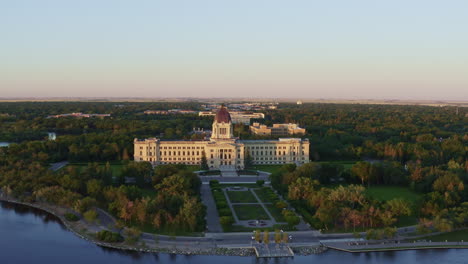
(348, 49)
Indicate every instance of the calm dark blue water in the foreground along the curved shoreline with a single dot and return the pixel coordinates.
(31, 236)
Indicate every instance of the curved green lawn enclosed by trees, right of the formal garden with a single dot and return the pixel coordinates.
(385, 193)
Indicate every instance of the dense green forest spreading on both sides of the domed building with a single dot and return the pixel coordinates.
(417, 147)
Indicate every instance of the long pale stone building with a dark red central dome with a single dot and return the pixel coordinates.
(223, 150)
